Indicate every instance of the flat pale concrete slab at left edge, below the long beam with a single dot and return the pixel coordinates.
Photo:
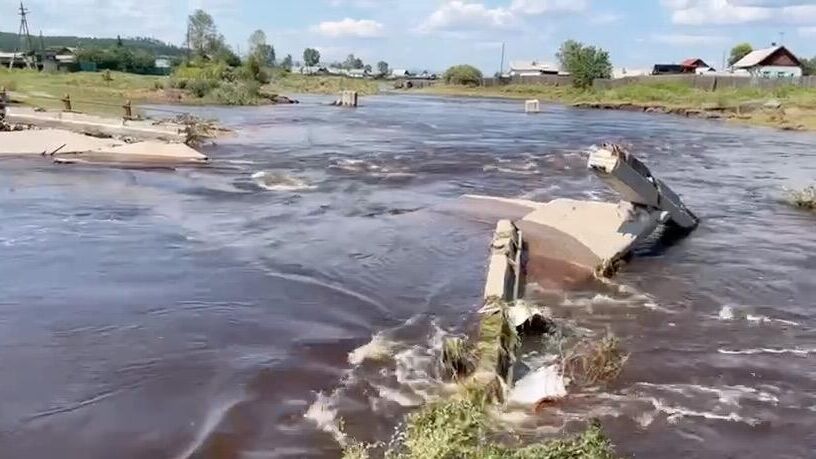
(50, 141)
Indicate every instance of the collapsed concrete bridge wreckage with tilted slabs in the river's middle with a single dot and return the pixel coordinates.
(558, 245)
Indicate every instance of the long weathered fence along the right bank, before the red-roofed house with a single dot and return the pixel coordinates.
(708, 82)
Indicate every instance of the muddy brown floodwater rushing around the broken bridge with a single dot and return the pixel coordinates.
(210, 313)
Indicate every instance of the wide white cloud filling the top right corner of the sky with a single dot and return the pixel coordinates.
(724, 12)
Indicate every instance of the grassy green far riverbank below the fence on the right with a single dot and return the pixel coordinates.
(789, 108)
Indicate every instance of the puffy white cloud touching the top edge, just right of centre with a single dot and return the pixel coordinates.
(459, 15)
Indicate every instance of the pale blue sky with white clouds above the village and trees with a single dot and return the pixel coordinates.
(433, 34)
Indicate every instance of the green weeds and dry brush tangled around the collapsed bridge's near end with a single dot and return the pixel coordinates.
(462, 426)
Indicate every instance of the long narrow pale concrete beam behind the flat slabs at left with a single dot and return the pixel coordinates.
(97, 125)
